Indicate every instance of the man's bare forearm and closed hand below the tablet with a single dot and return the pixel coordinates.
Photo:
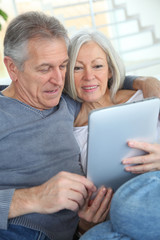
(63, 191)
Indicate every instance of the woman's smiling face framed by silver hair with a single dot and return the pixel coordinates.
(91, 73)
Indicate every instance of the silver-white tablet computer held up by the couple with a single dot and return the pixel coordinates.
(109, 130)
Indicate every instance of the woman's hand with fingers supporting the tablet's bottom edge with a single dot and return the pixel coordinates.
(96, 210)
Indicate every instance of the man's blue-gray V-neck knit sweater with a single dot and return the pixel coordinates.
(34, 146)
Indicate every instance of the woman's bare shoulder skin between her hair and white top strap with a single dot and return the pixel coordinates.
(123, 96)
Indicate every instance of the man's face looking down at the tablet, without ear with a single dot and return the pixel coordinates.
(41, 82)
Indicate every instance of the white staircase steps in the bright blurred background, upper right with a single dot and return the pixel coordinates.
(138, 45)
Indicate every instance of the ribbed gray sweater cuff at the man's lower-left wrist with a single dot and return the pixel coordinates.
(5, 201)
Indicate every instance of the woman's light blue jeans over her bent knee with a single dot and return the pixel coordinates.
(134, 213)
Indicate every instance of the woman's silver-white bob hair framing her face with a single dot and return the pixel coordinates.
(115, 64)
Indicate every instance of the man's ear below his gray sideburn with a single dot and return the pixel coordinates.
(11, 68)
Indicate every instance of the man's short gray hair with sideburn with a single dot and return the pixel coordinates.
(28, 26)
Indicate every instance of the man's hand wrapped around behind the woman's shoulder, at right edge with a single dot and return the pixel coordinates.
(150, 86)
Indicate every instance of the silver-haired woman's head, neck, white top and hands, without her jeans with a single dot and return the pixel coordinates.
(95, 76)
